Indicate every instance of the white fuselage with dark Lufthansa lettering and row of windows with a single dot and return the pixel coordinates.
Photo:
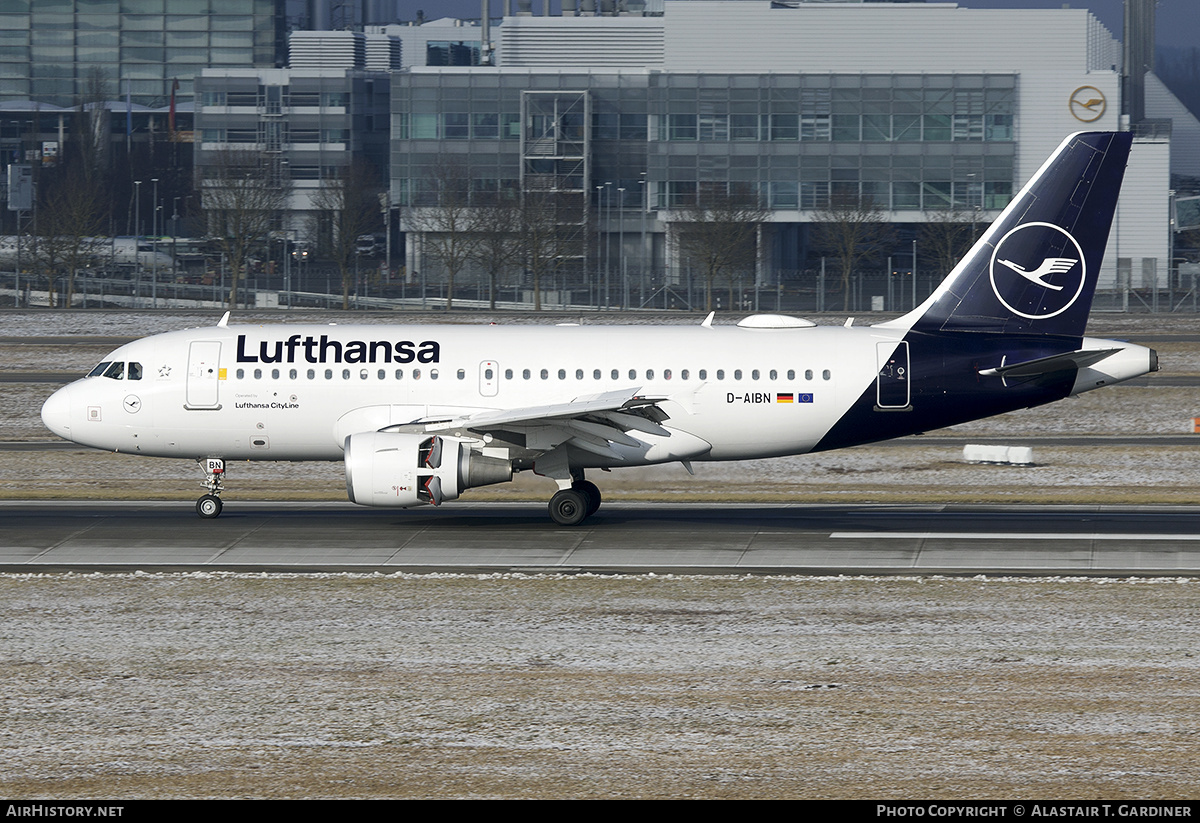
(296, 393)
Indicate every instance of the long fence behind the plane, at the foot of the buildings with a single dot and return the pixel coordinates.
(795, 293)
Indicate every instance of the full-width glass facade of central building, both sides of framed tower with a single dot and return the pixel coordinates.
(909, 142)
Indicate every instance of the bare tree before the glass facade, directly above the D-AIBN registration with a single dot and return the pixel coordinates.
(718, 235)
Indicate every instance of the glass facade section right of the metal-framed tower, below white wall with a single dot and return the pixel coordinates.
(907, 142)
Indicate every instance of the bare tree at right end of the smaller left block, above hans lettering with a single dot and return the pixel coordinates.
(347, 207)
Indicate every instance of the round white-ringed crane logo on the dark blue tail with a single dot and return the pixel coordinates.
(1039, 271)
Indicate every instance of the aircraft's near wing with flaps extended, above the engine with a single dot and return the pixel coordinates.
(592, 423)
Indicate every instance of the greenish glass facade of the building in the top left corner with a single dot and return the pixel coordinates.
(62, 51)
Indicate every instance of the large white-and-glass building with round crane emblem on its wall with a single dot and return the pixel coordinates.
(919, 109)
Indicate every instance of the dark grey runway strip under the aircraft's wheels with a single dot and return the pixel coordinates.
(40, 537)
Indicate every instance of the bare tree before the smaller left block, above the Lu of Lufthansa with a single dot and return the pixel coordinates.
(243, 196)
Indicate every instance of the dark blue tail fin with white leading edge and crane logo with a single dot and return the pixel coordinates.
(1035, 269)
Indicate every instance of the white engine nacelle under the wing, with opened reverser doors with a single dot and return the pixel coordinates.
(400, 471)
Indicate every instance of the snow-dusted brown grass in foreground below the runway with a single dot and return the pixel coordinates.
(506, 686)
